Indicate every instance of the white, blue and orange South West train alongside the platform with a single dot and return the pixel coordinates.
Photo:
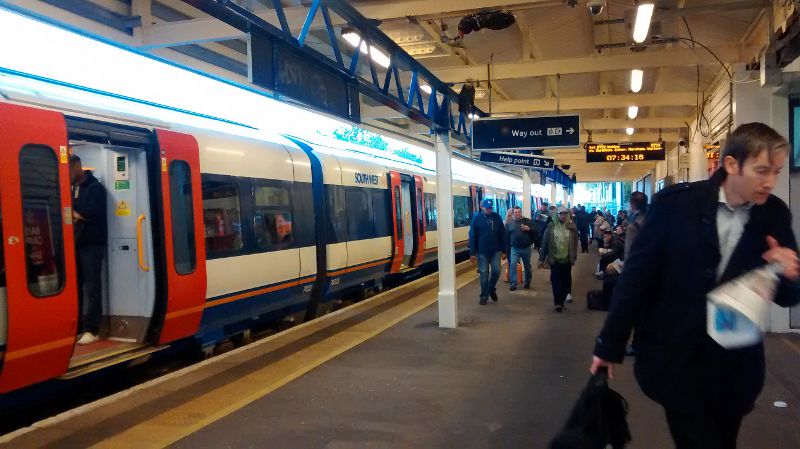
(209, 234)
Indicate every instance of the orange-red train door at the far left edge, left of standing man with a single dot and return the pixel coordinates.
(37, 245)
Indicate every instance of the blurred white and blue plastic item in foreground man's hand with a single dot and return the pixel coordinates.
(738, 310)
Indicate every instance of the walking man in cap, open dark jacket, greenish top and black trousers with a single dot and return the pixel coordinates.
(560, 251)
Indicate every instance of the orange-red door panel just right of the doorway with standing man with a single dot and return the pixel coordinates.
(185, 252)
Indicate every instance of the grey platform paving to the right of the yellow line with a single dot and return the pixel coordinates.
(506, 378)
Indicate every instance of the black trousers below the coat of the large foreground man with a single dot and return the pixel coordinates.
(706, 431)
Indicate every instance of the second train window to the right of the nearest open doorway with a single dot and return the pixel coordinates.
(273, 218)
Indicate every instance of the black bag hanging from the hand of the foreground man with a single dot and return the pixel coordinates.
(598, 419)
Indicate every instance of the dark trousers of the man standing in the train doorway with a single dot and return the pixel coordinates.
(90, 286)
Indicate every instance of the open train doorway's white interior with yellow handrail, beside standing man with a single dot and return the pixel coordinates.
(129, 290)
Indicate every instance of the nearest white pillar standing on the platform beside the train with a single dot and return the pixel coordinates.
(448, 305)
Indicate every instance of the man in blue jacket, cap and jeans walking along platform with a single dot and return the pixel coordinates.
(487, 243)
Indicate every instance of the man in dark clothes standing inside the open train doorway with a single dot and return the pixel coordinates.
(91, 237)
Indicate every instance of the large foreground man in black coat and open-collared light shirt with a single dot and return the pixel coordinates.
(698, 236)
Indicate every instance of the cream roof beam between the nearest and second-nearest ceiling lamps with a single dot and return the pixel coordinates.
(676, 57)
